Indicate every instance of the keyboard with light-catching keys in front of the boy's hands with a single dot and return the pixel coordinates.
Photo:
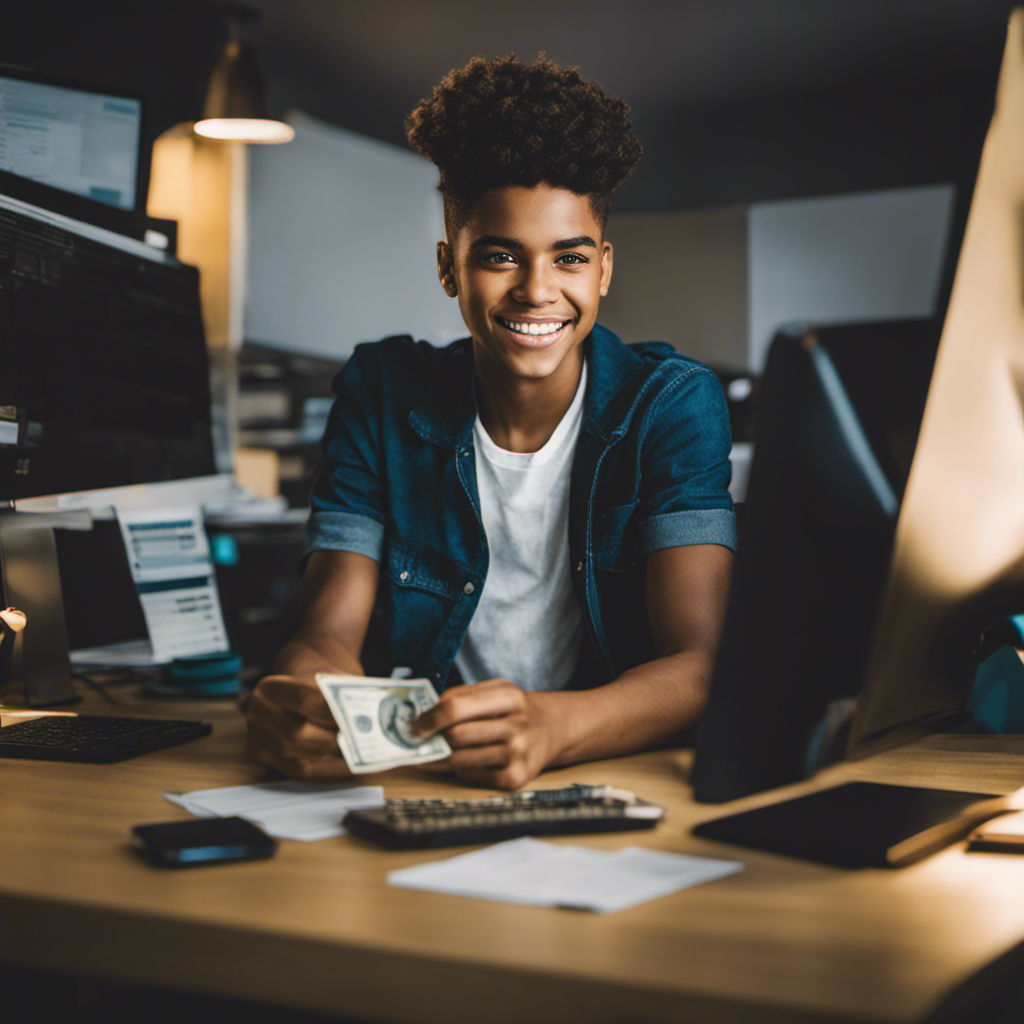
(424, 824)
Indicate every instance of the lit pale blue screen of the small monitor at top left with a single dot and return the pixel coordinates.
(75, 139)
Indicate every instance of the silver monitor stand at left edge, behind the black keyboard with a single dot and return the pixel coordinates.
(31, 583)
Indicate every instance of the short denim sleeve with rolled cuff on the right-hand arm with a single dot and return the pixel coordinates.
(686, 470)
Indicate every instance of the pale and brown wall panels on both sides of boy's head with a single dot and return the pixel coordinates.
(343, 233)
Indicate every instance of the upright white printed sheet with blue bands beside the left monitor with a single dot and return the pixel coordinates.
(170, 563)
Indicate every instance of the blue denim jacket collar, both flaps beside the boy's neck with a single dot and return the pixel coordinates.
(446, 409)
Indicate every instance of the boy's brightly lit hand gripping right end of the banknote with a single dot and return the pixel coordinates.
(500, 736)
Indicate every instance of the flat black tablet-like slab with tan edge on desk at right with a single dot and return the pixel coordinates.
(861, 825)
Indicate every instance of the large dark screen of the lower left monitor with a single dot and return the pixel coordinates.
(105, 380)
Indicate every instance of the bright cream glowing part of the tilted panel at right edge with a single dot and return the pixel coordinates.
(962, 529)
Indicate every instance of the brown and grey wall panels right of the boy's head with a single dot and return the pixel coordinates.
(718, 283)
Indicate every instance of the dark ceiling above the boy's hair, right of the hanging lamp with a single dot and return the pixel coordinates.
(734, 100)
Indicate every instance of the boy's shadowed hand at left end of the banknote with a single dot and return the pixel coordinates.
(291, 730)
